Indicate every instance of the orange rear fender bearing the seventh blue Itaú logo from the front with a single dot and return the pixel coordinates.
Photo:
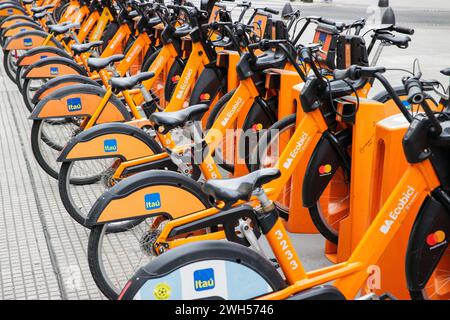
(26, 40)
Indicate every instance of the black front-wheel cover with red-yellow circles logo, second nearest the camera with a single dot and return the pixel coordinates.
(321, 168)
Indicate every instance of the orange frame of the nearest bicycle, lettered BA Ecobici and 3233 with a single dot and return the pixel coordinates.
(417, 182)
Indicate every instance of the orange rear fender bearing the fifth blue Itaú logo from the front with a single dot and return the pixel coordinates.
(53, 67)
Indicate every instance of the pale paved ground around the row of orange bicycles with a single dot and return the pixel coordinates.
(43, 252)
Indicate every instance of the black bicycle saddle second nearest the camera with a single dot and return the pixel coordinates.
(178, 118)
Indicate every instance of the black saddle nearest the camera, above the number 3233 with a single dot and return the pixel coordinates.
(232, 190)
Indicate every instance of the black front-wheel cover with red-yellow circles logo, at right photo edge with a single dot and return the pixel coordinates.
(427, 243)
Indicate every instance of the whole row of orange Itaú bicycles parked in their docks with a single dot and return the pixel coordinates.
(179, 136)
